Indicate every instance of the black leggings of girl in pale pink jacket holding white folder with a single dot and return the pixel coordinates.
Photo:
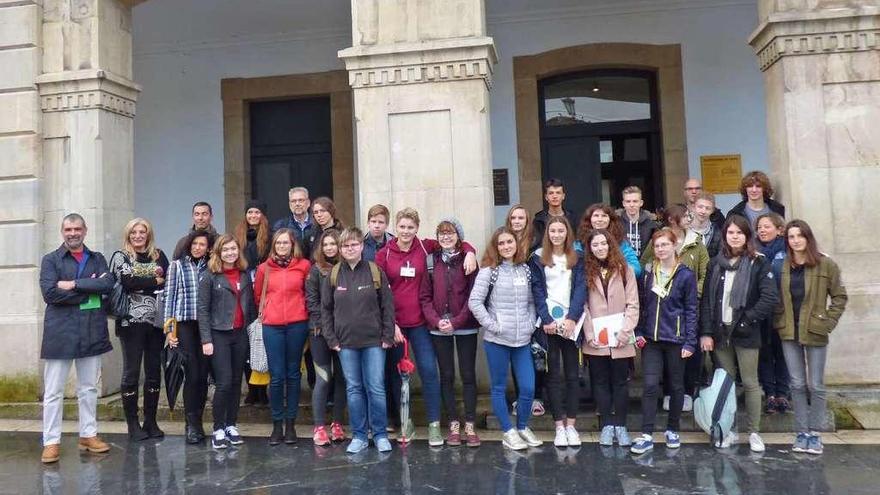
(610, 388)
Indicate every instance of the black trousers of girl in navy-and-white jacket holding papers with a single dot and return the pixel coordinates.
(563, 361)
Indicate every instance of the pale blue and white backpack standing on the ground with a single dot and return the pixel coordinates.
(715, 407)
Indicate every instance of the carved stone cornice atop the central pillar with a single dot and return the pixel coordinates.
(414, 63)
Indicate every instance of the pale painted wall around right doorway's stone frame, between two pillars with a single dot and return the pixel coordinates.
(724, 93)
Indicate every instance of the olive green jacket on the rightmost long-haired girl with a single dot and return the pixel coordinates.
(822, 285)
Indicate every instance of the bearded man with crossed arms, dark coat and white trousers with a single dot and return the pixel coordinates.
(72, 280)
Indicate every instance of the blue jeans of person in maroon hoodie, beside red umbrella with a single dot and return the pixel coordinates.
(422, 352)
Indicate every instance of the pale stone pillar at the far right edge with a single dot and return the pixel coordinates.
(821, 64)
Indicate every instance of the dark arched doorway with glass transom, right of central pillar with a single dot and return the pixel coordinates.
(600, 132)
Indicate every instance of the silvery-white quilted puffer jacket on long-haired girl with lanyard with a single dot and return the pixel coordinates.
(507, 313)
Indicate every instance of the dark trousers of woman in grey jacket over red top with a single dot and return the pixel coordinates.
(227, 363)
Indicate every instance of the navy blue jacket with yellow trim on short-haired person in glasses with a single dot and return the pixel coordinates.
(674, 317)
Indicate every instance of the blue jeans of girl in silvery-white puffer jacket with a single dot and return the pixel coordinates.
(500, 357)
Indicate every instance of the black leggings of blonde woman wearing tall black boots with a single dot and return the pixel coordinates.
(141, 342)
